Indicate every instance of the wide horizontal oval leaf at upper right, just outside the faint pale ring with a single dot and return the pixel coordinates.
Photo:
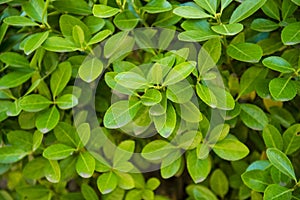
(245, 52)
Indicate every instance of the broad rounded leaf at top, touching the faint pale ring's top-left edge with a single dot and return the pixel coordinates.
(126, 20)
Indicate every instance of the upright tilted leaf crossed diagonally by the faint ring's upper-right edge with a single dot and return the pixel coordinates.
(209, 55)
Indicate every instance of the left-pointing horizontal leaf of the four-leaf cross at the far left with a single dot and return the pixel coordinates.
(34, 103)
